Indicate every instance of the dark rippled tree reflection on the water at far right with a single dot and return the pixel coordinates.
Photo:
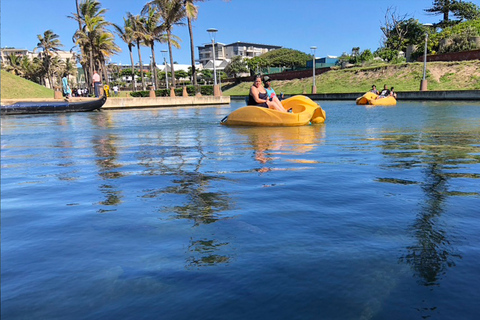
(432, 254)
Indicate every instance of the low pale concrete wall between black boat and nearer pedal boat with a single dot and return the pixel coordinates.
(160, 102)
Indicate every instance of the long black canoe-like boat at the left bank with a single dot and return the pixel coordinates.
(32, 107)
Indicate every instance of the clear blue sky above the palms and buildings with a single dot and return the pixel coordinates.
(333, 26)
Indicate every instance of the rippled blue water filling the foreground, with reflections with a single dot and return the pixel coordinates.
(165, 214)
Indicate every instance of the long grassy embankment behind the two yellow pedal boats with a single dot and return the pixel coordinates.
(458, 75)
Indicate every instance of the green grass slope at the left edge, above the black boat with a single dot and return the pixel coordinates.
(14, 87)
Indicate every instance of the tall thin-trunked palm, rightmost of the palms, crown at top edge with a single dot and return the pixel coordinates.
(171, 12)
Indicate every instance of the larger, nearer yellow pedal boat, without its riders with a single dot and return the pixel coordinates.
(304, 111)
